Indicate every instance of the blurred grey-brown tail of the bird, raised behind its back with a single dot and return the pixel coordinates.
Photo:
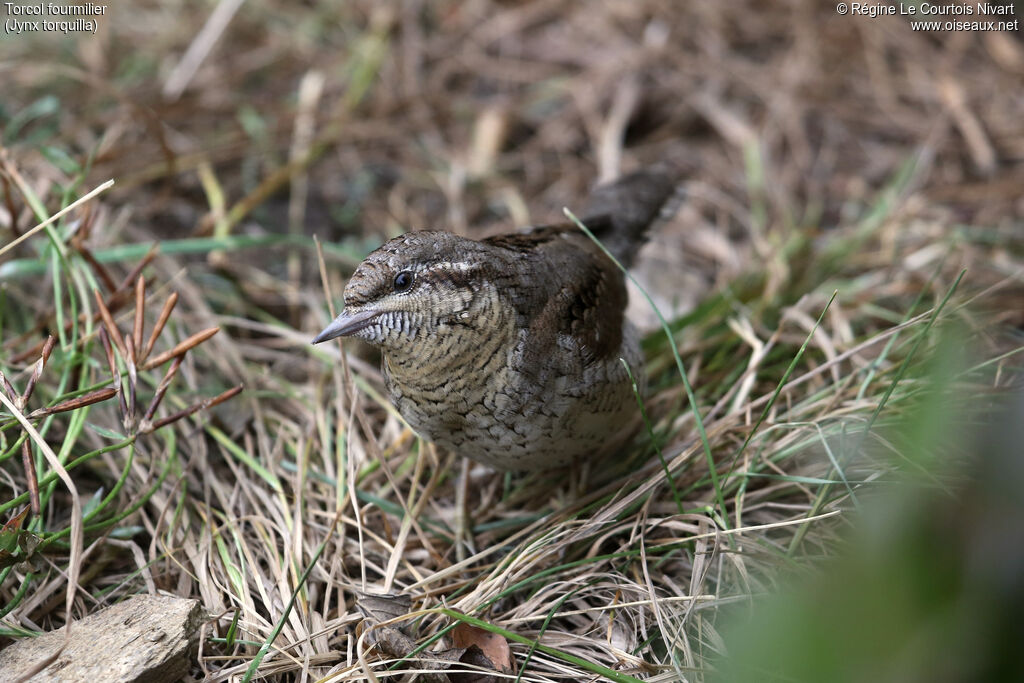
(621, 212)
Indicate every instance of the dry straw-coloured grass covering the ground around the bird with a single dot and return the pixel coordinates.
(833, 154)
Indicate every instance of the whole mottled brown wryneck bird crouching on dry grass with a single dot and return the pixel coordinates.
(509, 351)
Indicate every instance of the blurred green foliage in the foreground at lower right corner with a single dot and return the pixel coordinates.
(930, 587)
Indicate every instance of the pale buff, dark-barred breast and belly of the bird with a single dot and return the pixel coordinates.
(480, 403)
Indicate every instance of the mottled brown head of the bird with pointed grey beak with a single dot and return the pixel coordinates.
(418, 287)
